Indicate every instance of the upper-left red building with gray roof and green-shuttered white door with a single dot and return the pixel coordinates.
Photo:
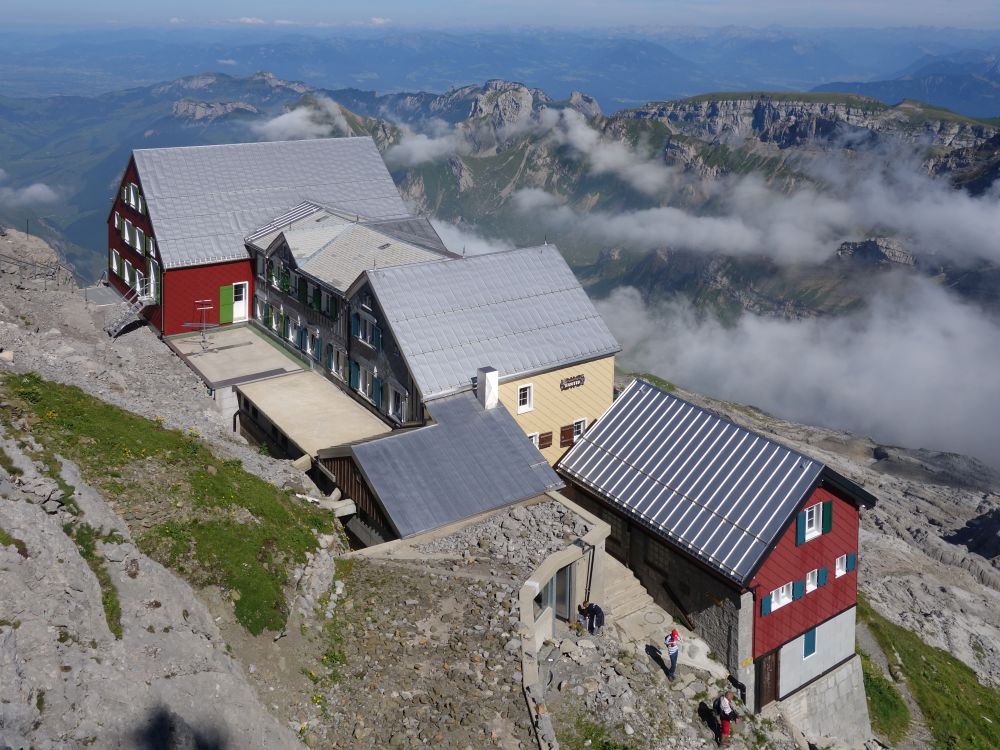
(175, 232)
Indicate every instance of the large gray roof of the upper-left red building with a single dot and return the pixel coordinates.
(203, 200)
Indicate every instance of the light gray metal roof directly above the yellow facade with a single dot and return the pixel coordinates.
(520, 311)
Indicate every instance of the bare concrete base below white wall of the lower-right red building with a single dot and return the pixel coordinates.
(832, 711)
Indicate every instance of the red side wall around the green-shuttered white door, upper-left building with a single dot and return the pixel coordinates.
(183, 286)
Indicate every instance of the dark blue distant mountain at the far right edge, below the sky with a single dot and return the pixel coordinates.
(967, 82)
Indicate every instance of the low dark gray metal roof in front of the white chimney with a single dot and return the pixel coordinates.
(472, 460)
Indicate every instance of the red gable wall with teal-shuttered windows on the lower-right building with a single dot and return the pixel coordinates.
(789, 562)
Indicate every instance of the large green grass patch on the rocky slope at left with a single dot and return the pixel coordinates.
(225, 526)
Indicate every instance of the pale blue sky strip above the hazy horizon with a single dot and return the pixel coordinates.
(445, 13)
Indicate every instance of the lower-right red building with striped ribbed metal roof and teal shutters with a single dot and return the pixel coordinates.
(753, 545)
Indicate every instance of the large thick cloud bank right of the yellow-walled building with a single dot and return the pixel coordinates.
(916, 368)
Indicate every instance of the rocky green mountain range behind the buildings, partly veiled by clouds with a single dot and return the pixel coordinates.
(78, 146)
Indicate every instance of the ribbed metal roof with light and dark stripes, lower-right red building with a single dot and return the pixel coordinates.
(717, 490)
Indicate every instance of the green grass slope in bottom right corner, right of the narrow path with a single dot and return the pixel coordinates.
(961, 713)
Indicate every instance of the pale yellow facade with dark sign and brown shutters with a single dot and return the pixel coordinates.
(555, 407)
